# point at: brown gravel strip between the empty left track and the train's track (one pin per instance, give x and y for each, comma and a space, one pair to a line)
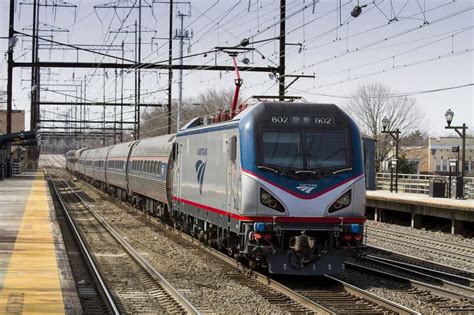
200, 278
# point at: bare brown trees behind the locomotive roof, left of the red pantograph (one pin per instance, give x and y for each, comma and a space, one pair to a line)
155, 122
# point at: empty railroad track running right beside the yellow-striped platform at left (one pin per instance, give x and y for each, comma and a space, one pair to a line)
135, 283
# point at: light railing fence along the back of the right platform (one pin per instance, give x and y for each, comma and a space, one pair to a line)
420, 184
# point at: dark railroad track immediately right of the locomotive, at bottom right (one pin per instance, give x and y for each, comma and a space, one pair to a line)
446, 298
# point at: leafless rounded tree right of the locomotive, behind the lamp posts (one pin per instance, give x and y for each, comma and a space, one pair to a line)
371, 103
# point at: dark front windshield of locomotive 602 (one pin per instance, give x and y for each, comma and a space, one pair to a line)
304, 150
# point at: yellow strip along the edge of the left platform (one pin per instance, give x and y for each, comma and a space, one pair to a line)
32, 284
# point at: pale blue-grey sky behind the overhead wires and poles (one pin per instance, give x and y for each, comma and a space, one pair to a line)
412, 46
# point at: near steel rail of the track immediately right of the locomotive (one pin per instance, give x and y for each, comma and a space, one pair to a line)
440, 291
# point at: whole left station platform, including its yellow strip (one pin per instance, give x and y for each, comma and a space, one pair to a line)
35, 276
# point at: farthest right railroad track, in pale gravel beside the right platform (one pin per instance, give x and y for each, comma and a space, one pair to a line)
455, 251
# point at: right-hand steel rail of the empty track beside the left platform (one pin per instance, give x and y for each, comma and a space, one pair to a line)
189, 308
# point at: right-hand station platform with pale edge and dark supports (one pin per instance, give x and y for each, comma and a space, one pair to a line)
458, 211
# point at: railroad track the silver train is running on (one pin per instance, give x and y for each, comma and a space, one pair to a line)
338, 297
